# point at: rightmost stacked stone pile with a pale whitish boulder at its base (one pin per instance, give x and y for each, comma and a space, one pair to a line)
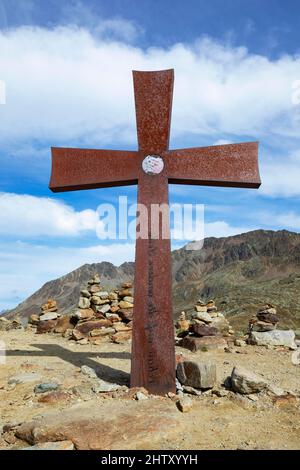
263, 329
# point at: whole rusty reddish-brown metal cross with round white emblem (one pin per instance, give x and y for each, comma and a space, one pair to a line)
153, 166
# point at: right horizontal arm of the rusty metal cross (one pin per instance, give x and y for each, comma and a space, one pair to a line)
233, 165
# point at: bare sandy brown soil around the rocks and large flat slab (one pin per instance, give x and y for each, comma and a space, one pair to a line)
230, 422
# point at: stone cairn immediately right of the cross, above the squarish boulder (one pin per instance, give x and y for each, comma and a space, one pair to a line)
206, 329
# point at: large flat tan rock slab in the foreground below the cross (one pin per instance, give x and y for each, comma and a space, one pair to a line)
113, 427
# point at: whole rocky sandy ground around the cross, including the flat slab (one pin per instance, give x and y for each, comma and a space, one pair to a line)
77, 416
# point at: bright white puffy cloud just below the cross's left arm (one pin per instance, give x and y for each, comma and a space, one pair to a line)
30, 216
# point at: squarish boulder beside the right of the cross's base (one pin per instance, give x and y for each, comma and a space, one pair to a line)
197, 374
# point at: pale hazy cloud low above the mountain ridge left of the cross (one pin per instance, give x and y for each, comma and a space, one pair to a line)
25, 267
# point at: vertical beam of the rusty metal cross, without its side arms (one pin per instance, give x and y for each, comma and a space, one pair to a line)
153, 350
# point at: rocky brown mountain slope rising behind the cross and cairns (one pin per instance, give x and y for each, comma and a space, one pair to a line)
240, 272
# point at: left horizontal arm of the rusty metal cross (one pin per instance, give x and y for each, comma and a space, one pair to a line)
74, 169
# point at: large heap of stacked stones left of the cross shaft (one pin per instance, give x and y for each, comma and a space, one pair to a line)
101, 315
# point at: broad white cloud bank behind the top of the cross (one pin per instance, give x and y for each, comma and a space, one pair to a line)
65, 84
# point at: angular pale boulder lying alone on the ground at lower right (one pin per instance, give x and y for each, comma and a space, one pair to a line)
245, 382
